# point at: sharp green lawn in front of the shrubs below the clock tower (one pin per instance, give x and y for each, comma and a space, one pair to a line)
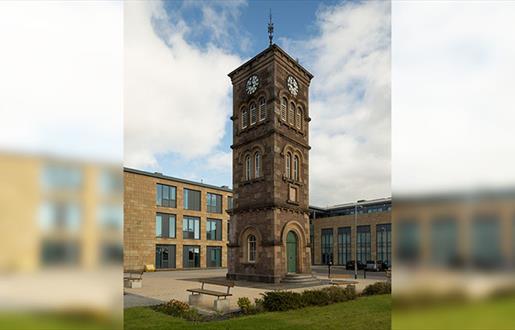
363, 313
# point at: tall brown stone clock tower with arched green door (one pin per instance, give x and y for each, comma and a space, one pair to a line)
269, 227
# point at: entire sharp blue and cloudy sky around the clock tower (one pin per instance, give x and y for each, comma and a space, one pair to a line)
177, 95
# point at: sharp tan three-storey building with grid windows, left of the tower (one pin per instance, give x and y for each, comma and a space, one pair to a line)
174, 223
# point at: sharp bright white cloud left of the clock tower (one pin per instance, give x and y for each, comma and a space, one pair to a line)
177, 96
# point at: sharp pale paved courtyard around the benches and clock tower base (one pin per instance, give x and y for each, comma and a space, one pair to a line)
162, 286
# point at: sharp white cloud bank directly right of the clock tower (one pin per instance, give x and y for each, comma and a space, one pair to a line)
350, 102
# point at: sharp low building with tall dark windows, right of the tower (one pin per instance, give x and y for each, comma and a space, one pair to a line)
336, 238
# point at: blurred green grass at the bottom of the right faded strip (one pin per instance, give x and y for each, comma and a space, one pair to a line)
490, 314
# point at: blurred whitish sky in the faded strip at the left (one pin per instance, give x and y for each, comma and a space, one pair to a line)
61, 77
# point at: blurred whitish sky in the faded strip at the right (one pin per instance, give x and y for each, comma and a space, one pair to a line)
453, 76
